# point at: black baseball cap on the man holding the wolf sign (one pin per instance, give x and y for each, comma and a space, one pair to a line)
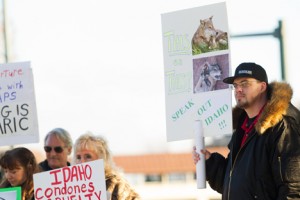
249, 69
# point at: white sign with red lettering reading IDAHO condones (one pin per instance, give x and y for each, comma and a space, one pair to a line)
82, 181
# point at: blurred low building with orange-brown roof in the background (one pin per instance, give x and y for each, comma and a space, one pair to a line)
169, 176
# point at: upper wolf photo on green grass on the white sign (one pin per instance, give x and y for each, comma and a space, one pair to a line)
207, 38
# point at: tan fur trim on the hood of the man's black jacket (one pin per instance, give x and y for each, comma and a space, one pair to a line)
280, 95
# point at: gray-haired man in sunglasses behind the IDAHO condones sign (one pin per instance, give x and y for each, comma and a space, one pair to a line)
58, 146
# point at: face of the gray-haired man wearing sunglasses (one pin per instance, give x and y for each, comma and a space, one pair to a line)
57, 159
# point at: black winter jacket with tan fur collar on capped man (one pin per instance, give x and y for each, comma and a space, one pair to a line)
268, 165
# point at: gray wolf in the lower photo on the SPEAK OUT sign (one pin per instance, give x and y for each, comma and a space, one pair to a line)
209, 75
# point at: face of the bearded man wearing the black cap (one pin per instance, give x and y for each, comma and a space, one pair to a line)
247, 91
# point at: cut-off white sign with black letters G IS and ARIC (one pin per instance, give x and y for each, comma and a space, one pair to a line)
18, 114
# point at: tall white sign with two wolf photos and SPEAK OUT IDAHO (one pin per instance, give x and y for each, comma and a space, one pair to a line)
196, 60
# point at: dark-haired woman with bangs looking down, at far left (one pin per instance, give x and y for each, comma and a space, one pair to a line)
19, 165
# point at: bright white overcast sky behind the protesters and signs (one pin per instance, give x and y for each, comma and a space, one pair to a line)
98, 65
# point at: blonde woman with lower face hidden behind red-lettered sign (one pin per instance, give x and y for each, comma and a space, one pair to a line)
88, 148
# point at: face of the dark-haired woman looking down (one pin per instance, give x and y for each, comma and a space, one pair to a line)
15, 177
